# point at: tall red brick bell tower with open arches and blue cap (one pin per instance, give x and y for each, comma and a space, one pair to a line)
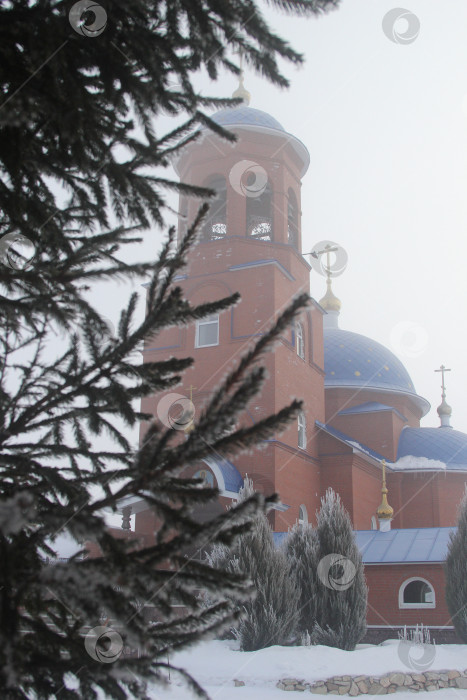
251, 243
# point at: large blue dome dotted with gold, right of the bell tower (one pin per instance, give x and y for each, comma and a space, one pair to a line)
353, 360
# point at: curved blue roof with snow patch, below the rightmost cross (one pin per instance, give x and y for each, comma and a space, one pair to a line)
443, 444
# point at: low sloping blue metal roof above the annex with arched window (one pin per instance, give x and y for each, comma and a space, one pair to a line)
425, 544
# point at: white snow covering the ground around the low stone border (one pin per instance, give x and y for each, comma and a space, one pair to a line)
216, 664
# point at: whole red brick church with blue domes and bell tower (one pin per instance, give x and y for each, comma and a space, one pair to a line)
360, 406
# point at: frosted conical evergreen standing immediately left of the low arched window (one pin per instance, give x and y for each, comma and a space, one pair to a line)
342, 593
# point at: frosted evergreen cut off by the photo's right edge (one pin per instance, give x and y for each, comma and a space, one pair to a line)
456, 573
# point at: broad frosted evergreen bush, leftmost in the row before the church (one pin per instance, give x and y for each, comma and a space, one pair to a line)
271, 616
